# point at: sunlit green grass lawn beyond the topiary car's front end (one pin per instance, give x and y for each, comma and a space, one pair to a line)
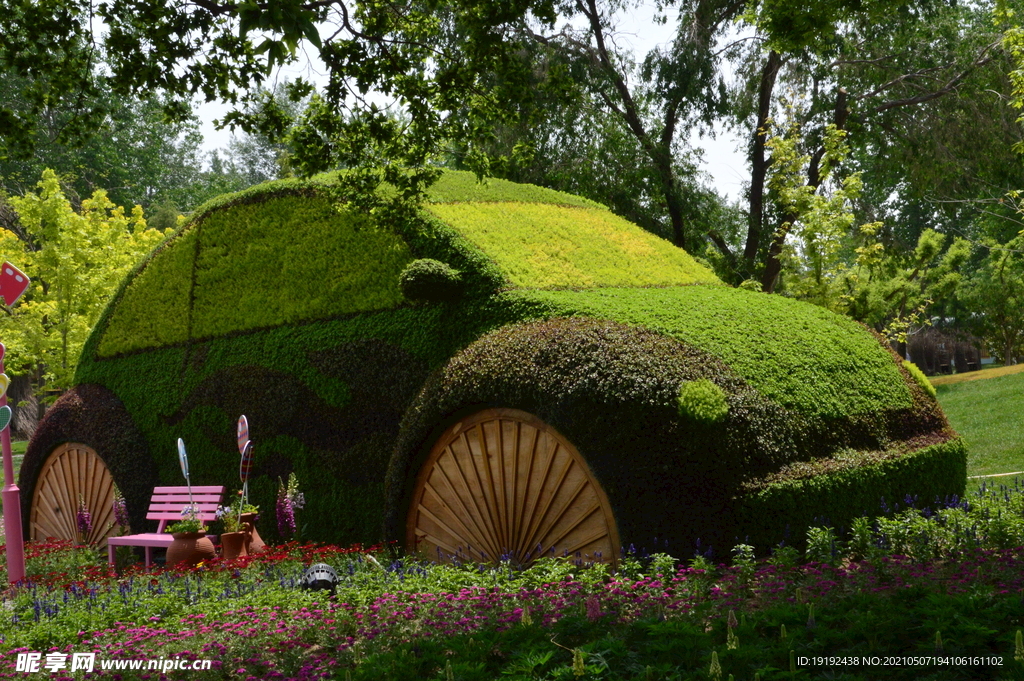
990, 415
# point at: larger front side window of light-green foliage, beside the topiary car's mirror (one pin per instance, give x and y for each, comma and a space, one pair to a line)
322, 264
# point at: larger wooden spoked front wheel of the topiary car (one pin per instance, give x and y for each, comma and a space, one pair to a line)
502, 484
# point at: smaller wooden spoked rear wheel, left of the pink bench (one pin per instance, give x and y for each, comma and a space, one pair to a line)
72, 474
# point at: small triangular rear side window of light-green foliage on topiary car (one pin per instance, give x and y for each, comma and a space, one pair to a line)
154, 310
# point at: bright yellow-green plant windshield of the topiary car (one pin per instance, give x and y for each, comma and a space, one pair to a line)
543, 246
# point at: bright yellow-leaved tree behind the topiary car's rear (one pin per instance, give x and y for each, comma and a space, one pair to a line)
76, 261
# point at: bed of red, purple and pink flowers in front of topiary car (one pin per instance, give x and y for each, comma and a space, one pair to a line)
923, 592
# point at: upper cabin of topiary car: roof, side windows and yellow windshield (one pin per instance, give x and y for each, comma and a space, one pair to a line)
285, 252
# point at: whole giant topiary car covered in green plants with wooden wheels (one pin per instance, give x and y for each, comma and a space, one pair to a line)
508, 372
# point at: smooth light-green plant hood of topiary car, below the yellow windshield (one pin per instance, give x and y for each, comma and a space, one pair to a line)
803, 357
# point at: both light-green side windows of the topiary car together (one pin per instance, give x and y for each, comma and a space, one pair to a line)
286, 260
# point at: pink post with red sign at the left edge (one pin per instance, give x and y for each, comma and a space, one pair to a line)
13, 285
